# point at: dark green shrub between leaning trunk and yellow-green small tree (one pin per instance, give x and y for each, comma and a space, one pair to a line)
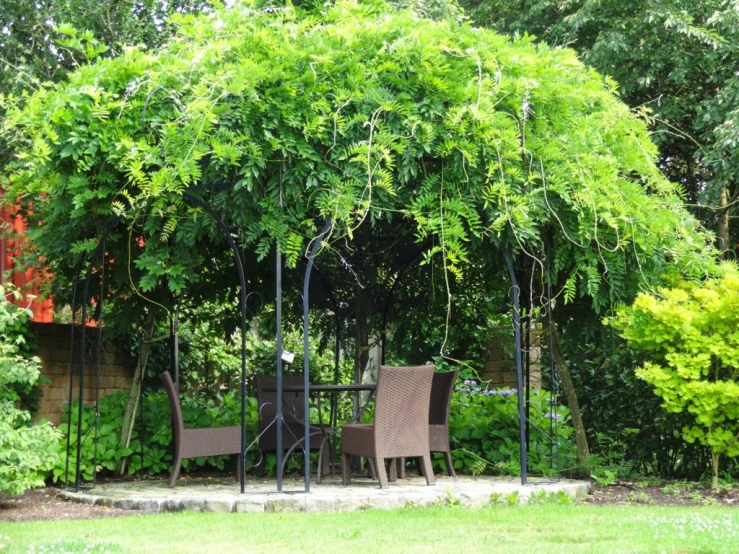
628, 431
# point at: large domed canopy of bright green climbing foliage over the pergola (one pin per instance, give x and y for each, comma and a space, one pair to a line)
364, 115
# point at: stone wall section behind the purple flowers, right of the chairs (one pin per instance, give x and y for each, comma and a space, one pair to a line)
500, 367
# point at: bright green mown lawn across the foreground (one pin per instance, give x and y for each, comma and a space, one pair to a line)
528, 529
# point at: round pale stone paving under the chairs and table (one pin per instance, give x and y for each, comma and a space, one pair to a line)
222, 494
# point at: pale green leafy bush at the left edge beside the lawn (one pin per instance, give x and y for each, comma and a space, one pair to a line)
24, 454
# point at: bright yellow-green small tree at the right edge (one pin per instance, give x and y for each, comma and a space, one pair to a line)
693, 329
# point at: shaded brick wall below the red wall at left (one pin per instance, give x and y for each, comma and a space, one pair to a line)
53, 340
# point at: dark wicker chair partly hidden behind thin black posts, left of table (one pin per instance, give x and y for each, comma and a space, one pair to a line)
293, 417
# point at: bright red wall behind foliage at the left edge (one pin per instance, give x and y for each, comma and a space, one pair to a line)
12, 231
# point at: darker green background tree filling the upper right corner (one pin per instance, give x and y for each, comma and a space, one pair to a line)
674, 58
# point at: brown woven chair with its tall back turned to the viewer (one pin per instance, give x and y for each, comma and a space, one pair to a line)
400, 428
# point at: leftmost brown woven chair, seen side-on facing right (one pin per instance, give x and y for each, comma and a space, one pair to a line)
194, 443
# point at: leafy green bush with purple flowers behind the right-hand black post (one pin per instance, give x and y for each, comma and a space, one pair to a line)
483, 431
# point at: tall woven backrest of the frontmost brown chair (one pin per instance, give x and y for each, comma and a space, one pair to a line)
402, 410
